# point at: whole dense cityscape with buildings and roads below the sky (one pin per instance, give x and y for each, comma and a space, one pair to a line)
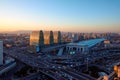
71, 56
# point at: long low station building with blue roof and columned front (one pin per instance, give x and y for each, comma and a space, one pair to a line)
83, 46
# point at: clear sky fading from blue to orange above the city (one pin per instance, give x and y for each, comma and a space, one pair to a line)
64, 15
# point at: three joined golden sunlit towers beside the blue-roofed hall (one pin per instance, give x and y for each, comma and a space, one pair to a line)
39, 39
